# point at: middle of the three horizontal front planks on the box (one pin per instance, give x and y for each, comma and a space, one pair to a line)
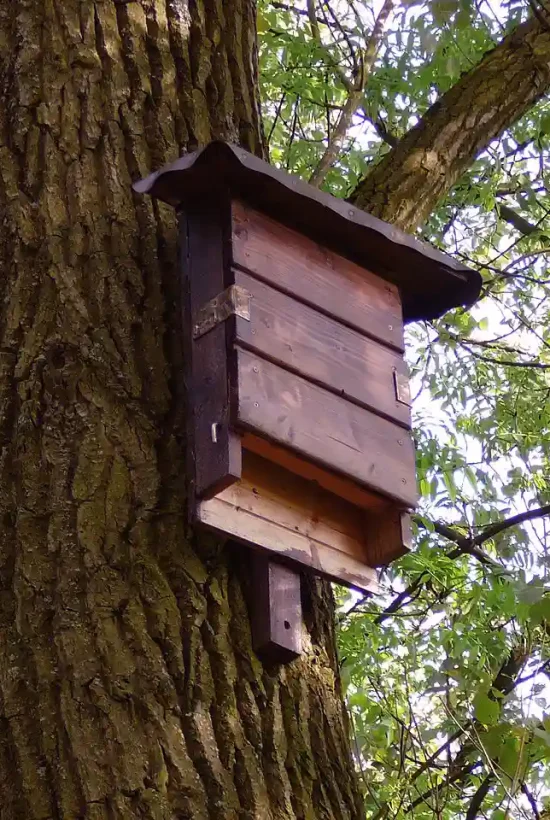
319, 348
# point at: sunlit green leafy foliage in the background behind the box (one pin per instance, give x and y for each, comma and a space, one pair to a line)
447, 674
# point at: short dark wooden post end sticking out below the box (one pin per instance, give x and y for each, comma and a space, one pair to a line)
276, 616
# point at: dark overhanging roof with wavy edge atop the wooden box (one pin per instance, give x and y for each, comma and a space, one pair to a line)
431, 282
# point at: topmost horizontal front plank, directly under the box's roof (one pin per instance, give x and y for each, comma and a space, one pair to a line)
295, 264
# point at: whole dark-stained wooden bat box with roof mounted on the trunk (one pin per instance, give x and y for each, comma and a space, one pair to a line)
299, 405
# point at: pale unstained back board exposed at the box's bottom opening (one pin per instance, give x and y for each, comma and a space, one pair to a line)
274, 510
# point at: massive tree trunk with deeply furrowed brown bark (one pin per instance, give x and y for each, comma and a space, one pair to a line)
128, 687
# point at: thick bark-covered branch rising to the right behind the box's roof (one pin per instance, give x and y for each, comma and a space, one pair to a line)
408, 182
